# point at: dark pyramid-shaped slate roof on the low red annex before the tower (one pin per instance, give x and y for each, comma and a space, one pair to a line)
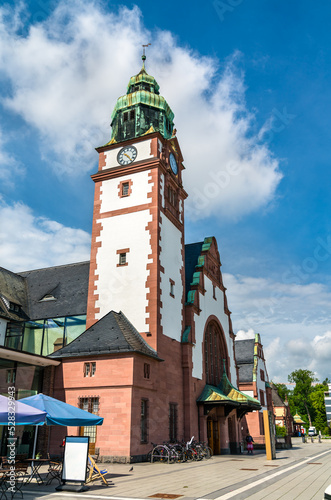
112, 334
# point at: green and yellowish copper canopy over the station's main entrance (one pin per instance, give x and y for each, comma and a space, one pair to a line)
226, 395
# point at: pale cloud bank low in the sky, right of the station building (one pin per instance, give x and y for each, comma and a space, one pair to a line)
291, 319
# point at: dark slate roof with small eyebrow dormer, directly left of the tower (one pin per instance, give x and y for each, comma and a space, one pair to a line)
67, 284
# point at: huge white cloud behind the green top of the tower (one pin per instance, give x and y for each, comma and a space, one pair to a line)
68, 70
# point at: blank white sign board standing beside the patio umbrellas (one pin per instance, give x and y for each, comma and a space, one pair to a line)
75, 458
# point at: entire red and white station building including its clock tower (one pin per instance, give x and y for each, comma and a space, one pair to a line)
141, 334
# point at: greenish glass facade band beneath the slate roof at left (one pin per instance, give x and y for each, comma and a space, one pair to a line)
46, 335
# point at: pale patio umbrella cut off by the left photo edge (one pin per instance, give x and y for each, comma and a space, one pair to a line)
23, 413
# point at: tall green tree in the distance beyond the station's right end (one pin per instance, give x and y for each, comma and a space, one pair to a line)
303, 380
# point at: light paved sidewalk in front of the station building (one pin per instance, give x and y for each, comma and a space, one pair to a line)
302, 473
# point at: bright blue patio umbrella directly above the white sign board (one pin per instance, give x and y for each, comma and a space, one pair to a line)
60, 413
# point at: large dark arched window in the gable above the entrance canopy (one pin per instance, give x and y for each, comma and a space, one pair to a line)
215, 352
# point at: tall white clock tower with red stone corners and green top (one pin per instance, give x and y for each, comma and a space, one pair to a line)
137, 252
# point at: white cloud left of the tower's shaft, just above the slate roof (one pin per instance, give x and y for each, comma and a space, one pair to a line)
30, 242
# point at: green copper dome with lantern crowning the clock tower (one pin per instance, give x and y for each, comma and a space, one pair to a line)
141, 110
